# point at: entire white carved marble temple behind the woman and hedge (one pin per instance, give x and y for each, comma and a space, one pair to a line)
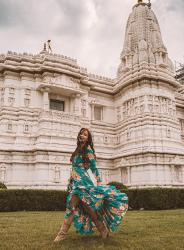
137, 118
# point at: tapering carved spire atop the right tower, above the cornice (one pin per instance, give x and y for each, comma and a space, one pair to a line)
143, 40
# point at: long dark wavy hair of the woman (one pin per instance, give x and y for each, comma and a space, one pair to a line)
82, 150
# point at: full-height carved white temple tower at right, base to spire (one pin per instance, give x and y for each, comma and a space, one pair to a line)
152, 144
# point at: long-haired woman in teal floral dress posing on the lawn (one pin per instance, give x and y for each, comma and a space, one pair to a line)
89, 204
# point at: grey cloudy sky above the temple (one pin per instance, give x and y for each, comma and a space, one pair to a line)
91, 31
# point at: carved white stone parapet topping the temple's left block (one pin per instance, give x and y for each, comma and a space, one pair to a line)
41, 63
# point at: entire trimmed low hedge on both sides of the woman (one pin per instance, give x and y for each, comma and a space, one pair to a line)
55, 200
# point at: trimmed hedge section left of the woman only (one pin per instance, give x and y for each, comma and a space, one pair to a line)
32, 200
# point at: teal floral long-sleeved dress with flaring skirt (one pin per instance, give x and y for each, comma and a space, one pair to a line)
108, 202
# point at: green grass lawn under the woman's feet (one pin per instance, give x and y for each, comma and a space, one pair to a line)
146, 230
